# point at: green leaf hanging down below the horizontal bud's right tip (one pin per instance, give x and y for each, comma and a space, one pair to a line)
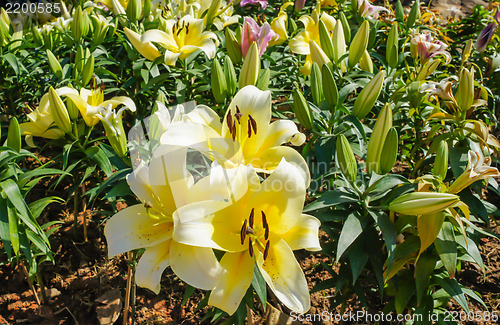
446, 247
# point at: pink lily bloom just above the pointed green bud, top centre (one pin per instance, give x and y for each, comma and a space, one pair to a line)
252, 32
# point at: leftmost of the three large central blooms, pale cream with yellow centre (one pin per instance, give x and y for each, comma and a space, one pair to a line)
163, 186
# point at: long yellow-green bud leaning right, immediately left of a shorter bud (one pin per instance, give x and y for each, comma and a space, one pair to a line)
377, 139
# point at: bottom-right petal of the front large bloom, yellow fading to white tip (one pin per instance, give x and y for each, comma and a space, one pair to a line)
285, 278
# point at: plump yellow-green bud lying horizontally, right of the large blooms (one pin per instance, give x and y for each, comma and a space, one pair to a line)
419, 203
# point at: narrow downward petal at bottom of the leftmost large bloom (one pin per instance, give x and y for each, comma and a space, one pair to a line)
151, 266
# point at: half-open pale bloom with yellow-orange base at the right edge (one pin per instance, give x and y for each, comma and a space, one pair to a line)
478, 168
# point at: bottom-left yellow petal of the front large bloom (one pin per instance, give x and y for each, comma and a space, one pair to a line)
233, 282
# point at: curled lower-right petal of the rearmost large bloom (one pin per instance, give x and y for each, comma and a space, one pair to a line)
269, 159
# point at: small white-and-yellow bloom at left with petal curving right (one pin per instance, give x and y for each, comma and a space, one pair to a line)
89, 103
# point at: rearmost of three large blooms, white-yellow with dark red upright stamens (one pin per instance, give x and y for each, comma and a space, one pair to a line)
246, 135
